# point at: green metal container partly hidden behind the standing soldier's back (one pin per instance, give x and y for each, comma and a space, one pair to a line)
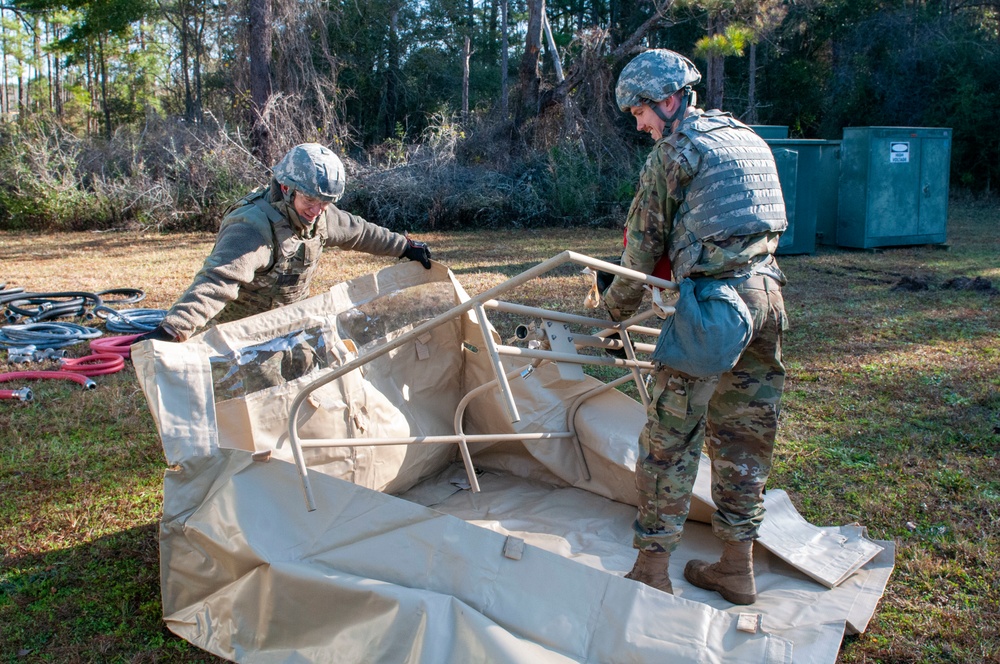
809, 170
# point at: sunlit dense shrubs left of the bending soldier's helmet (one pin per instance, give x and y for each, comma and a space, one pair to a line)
168, 175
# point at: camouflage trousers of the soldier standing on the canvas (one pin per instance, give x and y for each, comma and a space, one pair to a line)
734, 416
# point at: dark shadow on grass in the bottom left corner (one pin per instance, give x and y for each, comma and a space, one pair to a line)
96, 602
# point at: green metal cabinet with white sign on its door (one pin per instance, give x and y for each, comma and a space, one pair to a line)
893, 186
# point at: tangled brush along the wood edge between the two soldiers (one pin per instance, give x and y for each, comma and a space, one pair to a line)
431, 189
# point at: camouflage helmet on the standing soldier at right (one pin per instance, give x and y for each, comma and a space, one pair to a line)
653, 76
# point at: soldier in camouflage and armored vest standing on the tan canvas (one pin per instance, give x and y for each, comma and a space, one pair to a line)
709, 201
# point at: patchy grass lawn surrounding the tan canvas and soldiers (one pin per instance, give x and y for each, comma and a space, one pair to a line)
891, 418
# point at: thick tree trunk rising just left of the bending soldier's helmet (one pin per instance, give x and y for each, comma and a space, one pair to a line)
262, 137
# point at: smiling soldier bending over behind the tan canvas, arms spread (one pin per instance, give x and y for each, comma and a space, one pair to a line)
270, 242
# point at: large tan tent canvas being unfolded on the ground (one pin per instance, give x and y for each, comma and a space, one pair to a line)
400, 560
